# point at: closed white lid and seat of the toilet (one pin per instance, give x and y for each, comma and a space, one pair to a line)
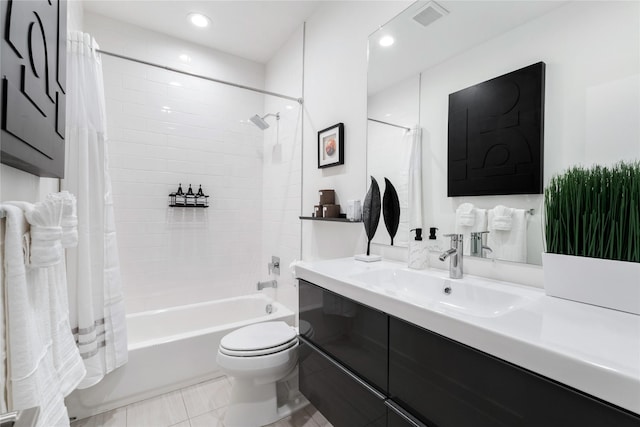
259, 336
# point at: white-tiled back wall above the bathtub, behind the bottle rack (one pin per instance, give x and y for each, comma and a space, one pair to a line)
164, 129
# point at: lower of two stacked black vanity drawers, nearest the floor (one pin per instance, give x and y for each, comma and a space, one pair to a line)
341, 397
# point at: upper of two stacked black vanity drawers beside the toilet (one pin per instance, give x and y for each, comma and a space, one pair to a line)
352, 333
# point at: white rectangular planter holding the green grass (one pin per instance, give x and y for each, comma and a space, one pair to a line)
602, 282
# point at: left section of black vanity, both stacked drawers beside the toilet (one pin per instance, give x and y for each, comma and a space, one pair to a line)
344, 360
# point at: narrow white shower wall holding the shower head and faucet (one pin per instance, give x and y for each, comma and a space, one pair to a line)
282, 171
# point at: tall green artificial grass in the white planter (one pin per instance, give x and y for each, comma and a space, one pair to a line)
595, 212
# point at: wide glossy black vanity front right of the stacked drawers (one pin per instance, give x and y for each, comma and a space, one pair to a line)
448, 384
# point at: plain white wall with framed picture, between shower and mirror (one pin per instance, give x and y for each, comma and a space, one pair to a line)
335, 91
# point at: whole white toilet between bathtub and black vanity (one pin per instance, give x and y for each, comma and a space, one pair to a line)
261, 361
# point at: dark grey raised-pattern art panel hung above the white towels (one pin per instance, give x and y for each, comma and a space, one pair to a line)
33, 86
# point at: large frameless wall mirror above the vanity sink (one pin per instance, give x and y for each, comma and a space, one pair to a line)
592, 93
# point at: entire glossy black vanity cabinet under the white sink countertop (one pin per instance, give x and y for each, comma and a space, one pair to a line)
362, 367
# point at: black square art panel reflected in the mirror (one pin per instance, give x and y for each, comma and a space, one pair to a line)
496, 135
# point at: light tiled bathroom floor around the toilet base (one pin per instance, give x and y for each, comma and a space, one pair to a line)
201, 405
